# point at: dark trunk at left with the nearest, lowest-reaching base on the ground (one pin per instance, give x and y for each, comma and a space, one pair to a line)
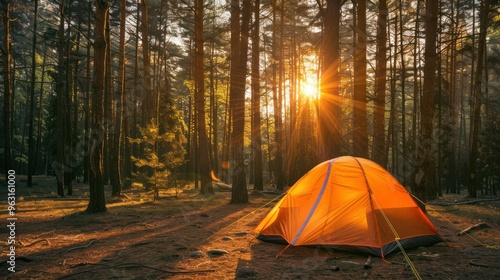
97, 201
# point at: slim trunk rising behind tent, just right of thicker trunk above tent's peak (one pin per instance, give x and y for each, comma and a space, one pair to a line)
378, 150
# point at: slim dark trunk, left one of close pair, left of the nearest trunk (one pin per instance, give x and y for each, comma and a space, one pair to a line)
58, 166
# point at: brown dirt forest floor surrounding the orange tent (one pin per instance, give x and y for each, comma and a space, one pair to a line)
171, 238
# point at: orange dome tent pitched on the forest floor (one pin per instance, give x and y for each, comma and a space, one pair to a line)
348, 203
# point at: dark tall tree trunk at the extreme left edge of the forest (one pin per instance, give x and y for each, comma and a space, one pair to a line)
8, 99
